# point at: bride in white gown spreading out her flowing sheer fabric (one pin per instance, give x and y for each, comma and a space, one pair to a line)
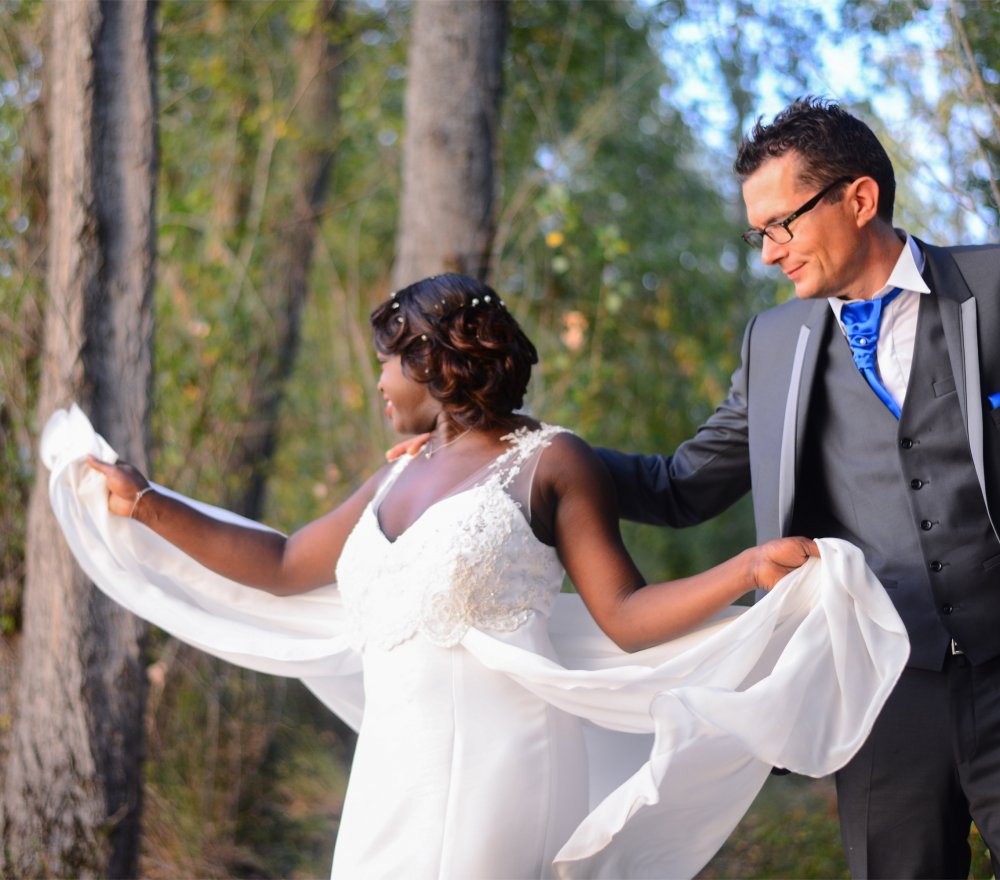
502, 734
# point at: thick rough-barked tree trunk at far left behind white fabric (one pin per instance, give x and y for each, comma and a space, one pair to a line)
72, 787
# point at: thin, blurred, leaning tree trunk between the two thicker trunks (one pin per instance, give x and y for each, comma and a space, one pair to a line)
287, 275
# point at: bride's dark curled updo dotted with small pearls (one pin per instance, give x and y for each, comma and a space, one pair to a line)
455, 335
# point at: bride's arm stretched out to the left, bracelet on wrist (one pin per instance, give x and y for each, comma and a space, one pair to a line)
259, 558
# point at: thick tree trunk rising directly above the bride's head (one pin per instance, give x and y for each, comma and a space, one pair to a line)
452, 116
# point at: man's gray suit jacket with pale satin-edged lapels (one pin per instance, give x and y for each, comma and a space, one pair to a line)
754, 438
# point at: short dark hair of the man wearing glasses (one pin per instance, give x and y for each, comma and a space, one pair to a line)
831, 142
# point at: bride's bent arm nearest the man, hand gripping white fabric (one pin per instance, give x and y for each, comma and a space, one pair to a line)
633, 614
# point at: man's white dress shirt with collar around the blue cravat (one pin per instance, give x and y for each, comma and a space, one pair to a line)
898, 330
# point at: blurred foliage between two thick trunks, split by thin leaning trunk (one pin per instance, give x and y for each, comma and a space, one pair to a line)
224, 202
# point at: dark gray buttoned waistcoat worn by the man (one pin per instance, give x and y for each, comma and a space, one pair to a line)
906, 493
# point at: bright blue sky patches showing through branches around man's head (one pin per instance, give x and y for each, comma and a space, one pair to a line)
852, 69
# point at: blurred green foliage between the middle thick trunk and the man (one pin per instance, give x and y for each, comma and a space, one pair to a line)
620, 254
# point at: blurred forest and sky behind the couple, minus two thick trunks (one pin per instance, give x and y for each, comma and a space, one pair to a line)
614, 237
